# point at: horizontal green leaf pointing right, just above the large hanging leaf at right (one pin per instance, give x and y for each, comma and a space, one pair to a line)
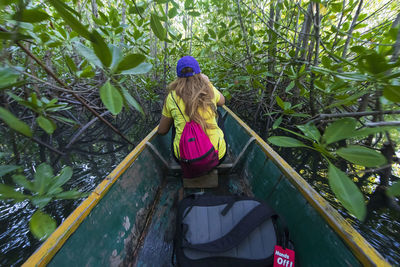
362, 156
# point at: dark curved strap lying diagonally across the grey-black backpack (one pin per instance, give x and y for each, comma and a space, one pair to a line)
246, 225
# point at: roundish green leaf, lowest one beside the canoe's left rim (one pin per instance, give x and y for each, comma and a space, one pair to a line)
42, 225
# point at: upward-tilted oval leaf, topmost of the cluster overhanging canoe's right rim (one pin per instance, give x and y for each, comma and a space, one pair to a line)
339, 130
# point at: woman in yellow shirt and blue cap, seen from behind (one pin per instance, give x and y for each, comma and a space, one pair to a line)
192, 97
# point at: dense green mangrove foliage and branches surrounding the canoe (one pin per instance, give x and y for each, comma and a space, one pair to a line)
317, 75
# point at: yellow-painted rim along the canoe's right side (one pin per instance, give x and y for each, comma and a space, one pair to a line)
364, 252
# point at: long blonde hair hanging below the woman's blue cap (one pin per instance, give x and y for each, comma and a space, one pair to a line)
197, 94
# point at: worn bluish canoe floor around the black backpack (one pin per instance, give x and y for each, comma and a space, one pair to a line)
155, 246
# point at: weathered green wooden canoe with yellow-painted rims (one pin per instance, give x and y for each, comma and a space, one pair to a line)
129, 219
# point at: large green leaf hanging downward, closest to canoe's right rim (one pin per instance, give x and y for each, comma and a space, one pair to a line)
347, 192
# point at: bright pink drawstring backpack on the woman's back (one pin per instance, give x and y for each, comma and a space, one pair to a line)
197, 155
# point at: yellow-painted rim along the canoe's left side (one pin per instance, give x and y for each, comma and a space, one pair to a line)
49, 248
